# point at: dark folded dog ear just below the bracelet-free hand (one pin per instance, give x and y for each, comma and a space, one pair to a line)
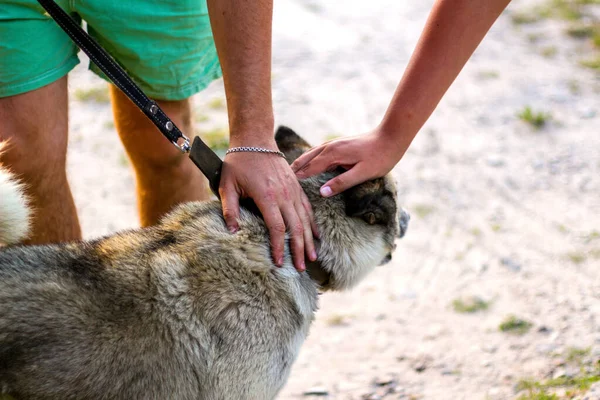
371, 201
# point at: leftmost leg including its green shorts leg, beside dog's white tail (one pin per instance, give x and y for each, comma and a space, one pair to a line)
35, 57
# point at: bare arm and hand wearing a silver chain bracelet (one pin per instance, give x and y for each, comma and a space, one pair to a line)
242, 33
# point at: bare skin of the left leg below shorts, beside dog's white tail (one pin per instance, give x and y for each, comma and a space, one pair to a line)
35, 126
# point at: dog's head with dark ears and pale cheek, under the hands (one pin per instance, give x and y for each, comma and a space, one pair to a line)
357, 228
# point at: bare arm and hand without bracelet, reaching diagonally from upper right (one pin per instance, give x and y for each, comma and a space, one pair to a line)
453, 31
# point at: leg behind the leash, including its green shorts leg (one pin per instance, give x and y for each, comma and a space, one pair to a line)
167, 48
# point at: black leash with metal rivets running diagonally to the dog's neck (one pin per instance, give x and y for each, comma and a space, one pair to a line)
205, 159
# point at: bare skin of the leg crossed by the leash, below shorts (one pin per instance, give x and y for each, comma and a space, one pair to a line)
165, 177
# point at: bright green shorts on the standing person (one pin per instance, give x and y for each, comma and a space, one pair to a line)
166, 46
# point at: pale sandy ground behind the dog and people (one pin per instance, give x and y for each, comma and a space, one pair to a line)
500, 210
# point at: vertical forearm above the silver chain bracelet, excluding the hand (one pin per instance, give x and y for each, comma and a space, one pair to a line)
242, 33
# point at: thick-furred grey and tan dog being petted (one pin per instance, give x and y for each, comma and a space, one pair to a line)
181, 310
